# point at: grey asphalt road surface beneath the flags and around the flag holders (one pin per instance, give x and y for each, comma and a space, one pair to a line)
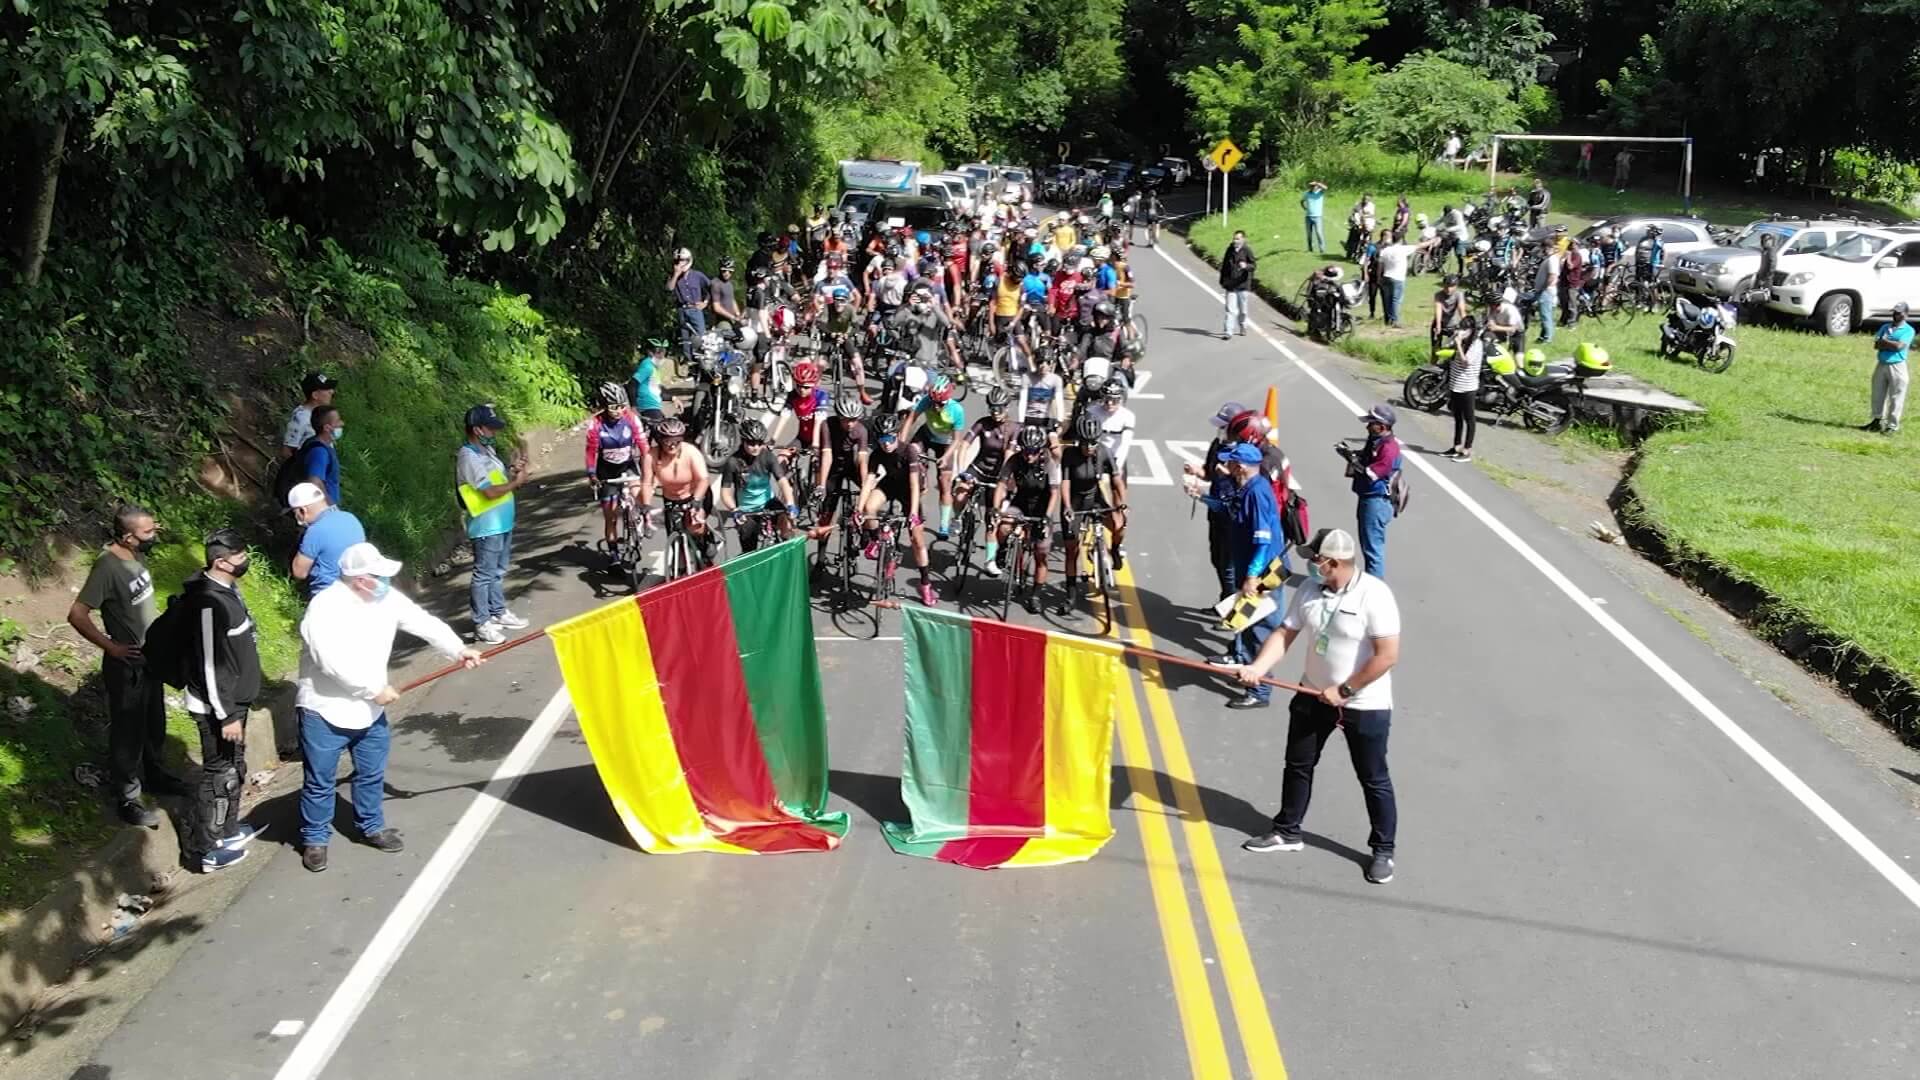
1595, 879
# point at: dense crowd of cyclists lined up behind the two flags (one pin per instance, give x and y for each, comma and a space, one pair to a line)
830, 403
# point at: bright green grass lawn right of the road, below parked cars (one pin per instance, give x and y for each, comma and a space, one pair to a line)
1773, 485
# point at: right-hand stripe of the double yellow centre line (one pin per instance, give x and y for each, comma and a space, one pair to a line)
1236, 960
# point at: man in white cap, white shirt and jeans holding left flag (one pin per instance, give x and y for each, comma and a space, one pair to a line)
348, 639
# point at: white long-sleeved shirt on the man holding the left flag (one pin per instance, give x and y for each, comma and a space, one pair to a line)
348, 643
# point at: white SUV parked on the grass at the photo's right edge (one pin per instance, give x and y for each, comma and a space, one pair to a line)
1861, 278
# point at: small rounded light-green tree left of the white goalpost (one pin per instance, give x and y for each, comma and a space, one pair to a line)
1428, 99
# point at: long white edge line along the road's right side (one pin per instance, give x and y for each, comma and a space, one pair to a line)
1831, 818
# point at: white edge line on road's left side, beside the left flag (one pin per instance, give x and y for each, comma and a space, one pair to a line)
364, 981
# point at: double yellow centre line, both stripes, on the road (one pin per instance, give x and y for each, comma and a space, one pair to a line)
1193, 989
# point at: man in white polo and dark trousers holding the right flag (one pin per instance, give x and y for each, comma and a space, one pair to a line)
1353, 629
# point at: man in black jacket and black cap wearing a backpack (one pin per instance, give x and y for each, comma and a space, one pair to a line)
220, 668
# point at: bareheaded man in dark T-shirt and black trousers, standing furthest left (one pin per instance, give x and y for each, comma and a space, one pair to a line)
122, 591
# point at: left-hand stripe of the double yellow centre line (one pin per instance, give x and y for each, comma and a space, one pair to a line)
1193, 991
